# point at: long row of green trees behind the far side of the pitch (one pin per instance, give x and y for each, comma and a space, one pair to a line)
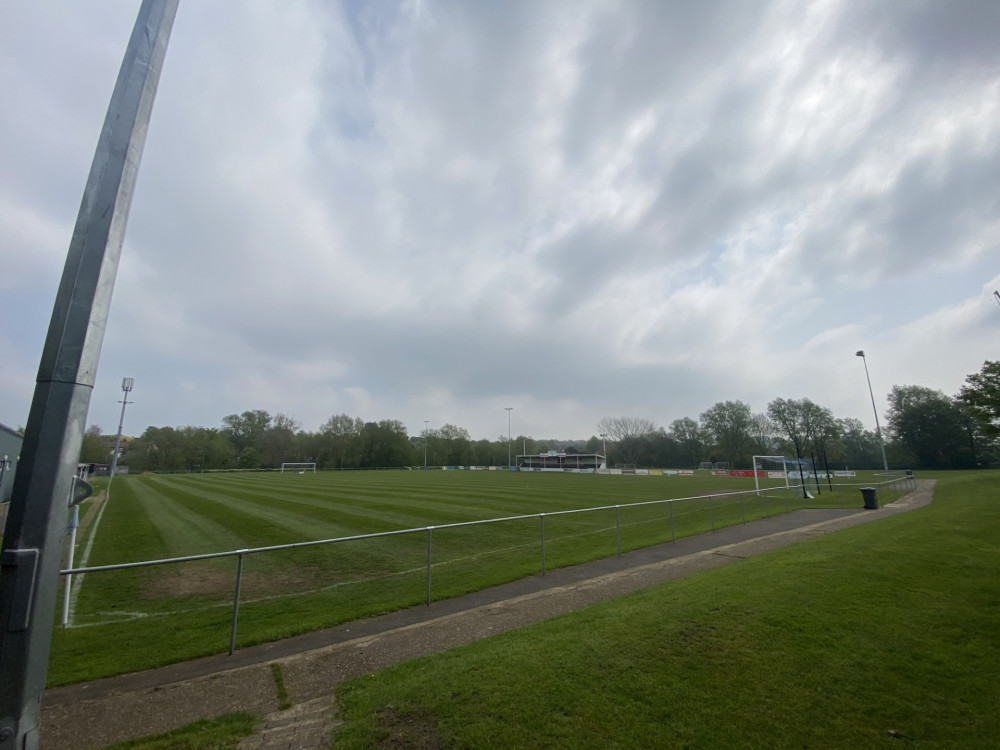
924, 429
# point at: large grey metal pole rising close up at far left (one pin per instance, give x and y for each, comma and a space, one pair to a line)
32, 546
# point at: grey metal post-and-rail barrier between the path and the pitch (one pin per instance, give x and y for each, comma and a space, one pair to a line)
722, 509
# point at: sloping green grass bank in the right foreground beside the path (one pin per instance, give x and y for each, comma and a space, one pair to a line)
879, 636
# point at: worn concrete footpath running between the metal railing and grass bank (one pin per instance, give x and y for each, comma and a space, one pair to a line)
95, 714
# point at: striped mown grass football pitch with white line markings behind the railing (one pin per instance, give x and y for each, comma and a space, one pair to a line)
143, 617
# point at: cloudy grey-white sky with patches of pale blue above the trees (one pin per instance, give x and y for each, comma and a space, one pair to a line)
582, 209
